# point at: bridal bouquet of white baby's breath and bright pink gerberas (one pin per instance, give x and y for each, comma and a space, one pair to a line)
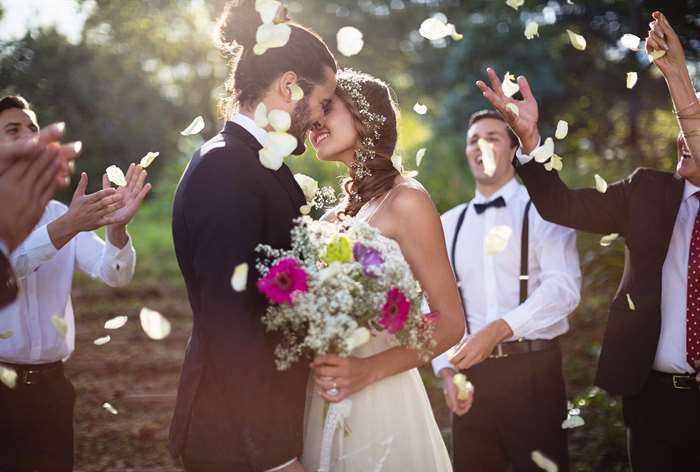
336, 286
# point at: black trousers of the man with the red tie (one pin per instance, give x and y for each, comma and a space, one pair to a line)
663, 428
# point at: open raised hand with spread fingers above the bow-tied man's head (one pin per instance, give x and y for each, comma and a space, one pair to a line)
524, 122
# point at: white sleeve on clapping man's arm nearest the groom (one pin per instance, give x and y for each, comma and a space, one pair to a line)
101, 259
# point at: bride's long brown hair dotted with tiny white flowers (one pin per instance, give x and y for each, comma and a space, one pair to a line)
375, 112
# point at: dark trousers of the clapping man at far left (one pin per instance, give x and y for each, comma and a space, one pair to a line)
36, 427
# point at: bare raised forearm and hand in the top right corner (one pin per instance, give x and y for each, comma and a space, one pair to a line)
662, 37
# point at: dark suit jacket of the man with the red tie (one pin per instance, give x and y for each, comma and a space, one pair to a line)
642, 209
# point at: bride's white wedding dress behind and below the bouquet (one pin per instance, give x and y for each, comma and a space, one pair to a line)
391, 427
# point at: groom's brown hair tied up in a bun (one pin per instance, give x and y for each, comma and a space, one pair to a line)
251, 74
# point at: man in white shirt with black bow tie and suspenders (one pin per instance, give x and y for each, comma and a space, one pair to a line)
514, 312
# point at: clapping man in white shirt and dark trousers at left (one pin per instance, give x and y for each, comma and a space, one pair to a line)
38, 329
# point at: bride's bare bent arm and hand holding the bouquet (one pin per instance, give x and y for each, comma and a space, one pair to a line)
410, 218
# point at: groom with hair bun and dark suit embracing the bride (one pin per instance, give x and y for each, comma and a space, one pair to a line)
235, 411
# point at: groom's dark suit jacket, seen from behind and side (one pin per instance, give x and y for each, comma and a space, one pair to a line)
234, 409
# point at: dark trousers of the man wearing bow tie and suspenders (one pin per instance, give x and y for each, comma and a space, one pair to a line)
519, 405
